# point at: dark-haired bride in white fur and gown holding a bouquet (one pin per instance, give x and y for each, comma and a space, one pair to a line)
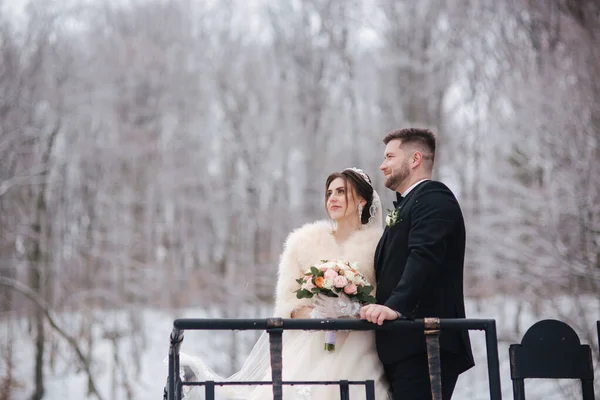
351, 234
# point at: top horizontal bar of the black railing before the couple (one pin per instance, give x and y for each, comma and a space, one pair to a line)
323, 324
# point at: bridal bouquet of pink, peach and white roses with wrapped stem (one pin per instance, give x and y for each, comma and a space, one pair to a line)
335, 279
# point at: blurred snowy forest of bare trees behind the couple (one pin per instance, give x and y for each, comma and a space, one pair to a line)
155, 154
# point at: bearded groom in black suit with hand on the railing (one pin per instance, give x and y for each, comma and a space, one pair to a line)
419, 268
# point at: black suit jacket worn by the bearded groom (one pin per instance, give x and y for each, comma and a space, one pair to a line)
419, 269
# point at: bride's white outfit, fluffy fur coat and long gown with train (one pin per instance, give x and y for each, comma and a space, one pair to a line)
304, 358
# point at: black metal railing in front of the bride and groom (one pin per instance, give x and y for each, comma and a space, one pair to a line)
275, 328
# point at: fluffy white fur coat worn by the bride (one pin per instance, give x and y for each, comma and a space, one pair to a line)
314, 242
